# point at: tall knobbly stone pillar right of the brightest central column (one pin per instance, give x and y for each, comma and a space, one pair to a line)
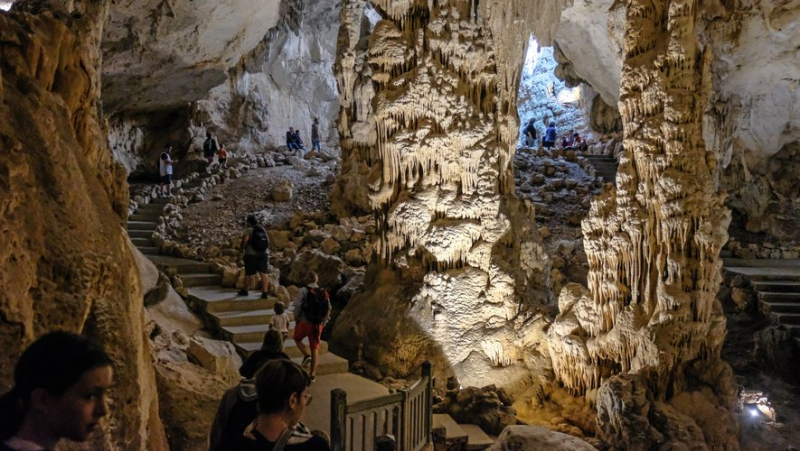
649, 329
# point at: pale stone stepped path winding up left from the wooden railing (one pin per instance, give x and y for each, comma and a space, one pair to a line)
243, 320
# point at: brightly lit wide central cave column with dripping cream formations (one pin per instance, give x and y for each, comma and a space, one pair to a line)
428, 125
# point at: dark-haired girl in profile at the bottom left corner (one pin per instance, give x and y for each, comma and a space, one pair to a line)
60, 385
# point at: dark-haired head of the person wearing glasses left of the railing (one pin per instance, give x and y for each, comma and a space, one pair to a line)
282, 387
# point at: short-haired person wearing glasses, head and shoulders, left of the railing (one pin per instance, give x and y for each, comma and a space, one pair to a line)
282, 392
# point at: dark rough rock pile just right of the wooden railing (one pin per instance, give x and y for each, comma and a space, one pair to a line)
488, 407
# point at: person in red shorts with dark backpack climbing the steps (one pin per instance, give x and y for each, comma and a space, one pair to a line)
312, 308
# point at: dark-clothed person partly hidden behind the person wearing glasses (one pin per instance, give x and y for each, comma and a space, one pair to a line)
237, 409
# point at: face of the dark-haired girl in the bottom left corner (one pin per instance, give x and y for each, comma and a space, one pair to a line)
77, 412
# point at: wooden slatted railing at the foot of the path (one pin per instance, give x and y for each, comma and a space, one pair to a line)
406, 415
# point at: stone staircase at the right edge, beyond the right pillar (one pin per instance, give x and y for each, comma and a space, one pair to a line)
776, 284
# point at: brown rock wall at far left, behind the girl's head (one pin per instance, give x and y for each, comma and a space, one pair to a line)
66, 261
